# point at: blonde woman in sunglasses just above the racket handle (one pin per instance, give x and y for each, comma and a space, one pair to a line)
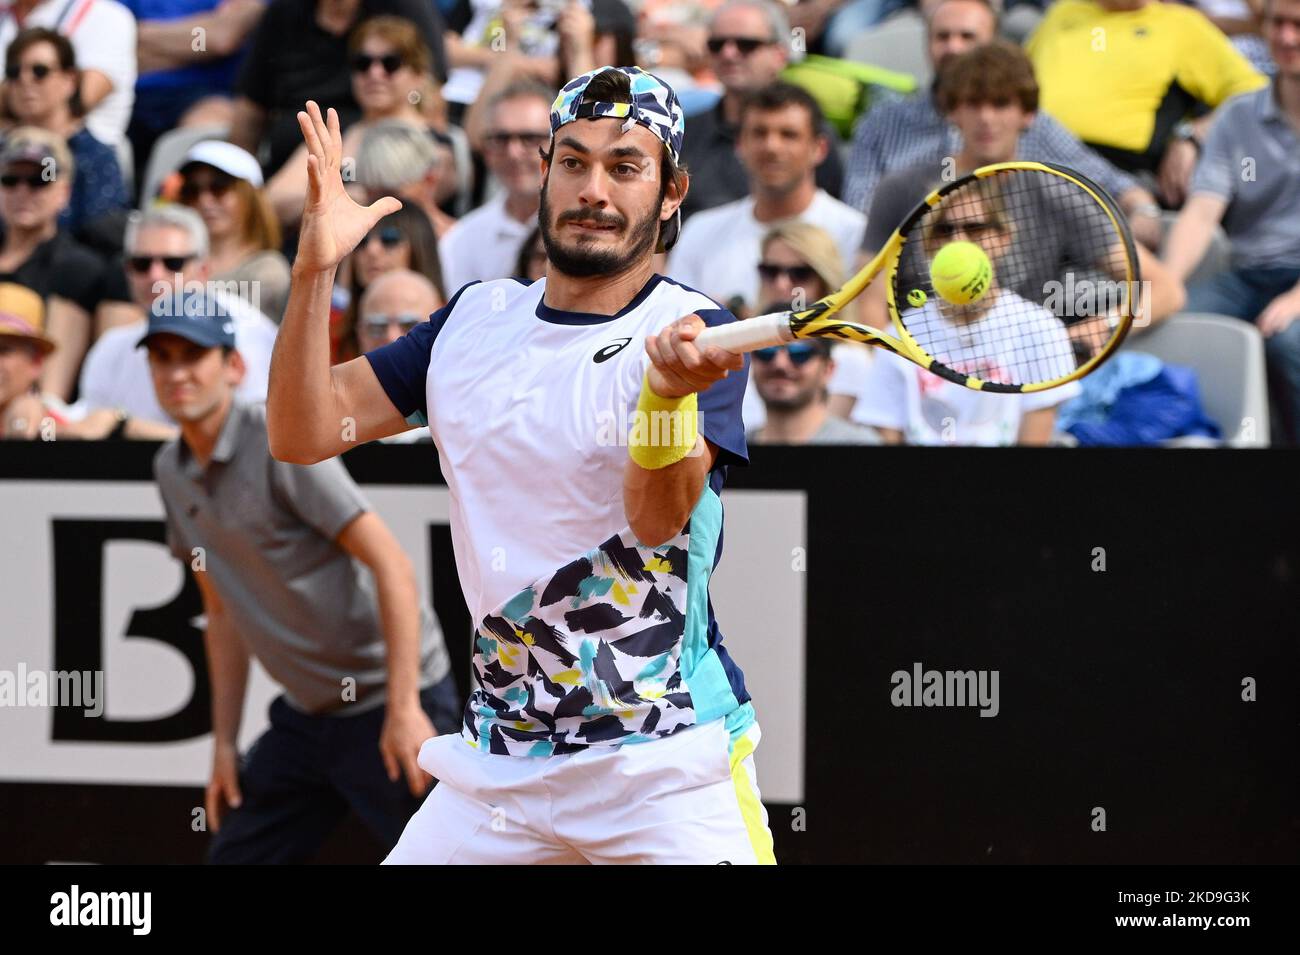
800, 263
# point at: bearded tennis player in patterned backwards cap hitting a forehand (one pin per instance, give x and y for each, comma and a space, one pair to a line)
584, 441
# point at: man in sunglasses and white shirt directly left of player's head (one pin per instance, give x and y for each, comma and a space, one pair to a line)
486, 244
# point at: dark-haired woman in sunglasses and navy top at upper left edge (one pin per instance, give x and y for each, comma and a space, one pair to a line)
41, 86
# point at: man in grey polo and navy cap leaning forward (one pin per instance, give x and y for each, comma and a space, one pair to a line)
297, 571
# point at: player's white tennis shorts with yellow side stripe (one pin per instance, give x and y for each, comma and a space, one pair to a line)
690, 798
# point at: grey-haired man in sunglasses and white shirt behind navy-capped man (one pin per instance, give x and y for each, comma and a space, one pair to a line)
167, 249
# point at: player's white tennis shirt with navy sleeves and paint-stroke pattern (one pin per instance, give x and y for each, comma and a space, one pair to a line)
584, 636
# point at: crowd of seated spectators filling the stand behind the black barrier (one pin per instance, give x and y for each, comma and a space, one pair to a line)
150, 147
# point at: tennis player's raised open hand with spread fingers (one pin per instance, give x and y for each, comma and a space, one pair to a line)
332, 222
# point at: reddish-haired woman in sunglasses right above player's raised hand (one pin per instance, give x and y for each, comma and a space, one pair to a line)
391, 68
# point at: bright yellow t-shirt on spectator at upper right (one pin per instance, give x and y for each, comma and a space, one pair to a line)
1119, 79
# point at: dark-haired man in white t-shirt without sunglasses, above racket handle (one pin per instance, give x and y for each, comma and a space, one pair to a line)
781, 146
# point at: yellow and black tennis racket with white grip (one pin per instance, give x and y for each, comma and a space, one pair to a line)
1059, 298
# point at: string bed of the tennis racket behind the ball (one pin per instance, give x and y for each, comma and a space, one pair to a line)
1060, 280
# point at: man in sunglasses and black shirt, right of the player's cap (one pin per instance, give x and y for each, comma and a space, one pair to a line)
748, 47
